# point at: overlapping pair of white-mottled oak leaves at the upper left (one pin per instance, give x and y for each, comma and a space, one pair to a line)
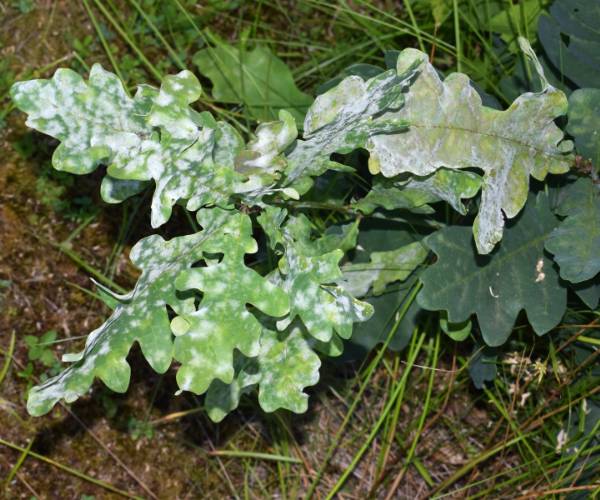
97, 122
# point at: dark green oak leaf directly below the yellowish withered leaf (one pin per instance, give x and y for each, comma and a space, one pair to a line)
517, 276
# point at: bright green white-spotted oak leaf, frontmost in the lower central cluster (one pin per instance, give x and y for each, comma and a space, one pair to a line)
206, 338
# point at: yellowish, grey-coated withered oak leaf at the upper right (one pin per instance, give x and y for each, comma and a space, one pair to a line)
449, 127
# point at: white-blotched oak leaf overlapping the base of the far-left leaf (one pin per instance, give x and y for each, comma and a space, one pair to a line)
192, 159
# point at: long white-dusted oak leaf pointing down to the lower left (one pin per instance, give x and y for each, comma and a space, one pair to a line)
140, 316
